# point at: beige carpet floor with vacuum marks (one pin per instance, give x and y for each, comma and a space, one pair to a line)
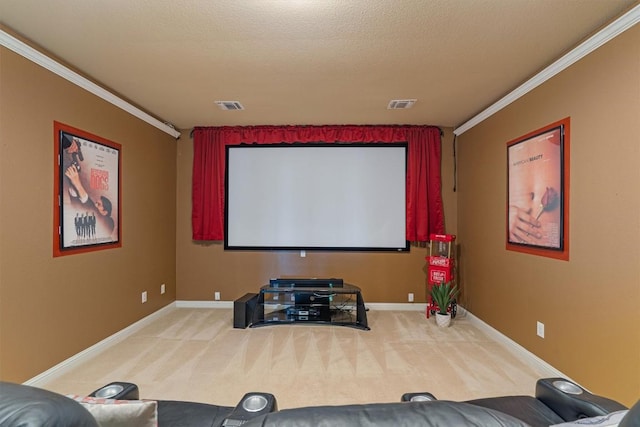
197, 355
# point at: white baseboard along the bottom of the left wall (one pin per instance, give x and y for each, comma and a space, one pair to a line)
95, 349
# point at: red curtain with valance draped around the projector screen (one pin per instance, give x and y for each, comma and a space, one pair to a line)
425, 213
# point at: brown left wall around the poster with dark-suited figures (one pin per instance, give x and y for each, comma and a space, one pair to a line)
52, 308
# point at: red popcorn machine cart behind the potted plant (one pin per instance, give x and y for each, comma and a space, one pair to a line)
441, 264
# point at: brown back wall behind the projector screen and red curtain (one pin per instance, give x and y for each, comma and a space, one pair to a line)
203, 269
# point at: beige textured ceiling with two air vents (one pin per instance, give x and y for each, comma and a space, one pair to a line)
309, 61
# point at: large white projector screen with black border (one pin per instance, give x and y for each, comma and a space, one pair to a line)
316, 197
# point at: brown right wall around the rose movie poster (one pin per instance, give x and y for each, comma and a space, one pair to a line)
590, 304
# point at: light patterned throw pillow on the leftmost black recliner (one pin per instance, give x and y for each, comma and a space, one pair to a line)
121, 413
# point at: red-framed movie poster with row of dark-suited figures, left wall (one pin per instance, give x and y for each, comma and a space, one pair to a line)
87, 199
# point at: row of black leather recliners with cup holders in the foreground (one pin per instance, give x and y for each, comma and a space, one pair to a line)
27, 406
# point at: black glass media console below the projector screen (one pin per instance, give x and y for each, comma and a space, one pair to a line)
307, 301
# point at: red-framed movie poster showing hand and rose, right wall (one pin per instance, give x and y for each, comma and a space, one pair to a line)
538, 192
